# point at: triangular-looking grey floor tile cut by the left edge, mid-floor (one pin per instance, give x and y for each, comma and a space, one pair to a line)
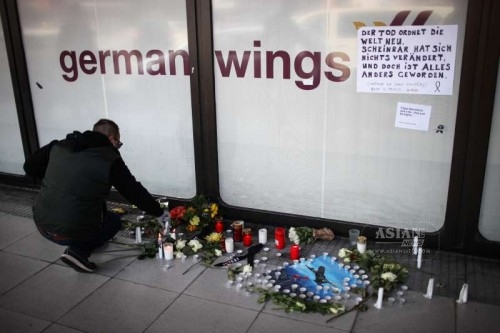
16, 269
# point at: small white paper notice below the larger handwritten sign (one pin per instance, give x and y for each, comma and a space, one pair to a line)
413, 116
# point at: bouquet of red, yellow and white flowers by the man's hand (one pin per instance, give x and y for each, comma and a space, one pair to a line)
195, 216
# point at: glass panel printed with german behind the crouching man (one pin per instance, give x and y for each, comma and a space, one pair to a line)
122, 60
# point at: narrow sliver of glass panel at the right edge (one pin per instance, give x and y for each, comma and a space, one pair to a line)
489, 217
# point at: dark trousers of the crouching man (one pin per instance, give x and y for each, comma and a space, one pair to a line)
110, 226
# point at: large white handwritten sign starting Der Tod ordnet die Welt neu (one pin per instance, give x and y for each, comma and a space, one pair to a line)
407, 59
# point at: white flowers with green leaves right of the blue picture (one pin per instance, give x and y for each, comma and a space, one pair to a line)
385, 273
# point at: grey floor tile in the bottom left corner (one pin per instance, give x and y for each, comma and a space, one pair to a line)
15, 322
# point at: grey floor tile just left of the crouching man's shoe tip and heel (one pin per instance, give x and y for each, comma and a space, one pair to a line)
35, 246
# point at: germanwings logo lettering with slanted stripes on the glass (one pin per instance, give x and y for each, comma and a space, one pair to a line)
304, 67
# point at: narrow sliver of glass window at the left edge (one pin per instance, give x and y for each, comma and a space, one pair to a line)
12, 157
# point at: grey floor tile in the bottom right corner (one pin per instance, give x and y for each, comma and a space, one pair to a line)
477, 317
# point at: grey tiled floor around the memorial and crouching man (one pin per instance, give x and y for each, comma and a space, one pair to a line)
38, 293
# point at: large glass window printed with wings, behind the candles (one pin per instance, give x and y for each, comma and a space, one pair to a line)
295, 135
